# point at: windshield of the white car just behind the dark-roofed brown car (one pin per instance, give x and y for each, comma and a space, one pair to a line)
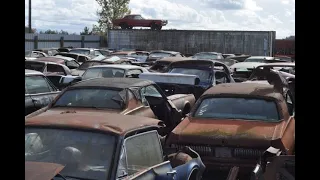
103, 72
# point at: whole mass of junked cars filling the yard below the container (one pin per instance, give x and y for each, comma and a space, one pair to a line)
116, 117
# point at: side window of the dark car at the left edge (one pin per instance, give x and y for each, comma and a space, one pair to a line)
37, 84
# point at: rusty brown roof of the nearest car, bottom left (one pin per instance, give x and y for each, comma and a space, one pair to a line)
107, 122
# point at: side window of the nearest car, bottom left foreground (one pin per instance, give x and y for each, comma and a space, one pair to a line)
141, 151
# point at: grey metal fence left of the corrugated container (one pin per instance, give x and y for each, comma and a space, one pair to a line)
36, 41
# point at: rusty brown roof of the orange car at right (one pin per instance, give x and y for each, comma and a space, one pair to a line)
245, 89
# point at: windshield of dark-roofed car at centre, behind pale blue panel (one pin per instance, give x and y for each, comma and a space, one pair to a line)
203, 75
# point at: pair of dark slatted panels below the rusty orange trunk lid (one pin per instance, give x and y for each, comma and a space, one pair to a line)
242, 153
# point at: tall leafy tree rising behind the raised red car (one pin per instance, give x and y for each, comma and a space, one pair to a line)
111, 10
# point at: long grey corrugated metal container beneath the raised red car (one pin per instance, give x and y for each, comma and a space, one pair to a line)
190, 42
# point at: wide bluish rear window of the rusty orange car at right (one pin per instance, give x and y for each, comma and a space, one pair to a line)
238, 108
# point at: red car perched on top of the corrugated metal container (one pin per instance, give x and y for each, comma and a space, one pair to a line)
136, 20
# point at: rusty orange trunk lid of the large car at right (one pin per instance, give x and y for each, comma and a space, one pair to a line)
237, 132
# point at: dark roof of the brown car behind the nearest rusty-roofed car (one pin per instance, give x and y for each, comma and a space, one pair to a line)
119, 83
